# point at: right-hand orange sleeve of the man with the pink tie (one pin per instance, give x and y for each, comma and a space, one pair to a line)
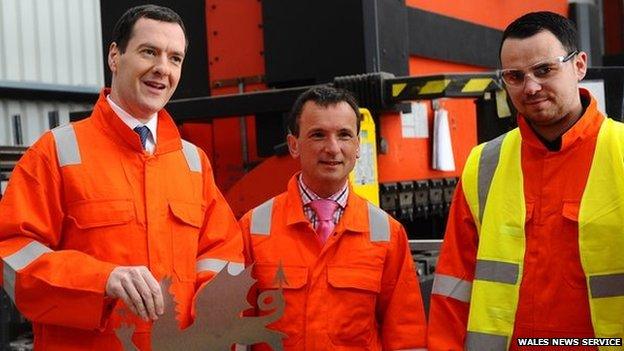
400, 307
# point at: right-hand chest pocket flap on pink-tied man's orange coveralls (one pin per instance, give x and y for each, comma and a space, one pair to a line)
355, 277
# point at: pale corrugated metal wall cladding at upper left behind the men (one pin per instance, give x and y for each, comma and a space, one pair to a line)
51, 42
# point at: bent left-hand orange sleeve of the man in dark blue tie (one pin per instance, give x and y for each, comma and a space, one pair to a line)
59, 287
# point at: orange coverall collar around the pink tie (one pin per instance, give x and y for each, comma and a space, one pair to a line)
353, 219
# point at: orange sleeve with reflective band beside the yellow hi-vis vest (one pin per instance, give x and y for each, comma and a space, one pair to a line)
448, 314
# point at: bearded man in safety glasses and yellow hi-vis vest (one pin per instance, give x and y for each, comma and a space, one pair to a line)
533, 247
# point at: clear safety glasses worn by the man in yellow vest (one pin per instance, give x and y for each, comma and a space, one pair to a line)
539, 72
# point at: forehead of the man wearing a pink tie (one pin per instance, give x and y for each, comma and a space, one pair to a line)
333, 116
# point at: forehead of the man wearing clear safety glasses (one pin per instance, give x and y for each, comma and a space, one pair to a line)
518, 53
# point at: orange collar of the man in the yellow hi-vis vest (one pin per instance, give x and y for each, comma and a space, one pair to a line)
587, 126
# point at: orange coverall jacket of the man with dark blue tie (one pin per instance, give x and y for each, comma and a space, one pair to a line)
113, 204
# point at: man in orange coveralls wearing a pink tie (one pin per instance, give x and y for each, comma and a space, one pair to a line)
349, 277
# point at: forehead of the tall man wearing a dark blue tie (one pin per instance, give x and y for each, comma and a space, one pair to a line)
153, 32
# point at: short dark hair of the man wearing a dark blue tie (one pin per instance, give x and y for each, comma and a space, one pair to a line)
125, 25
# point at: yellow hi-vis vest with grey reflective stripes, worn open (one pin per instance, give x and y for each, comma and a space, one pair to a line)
493, 185
